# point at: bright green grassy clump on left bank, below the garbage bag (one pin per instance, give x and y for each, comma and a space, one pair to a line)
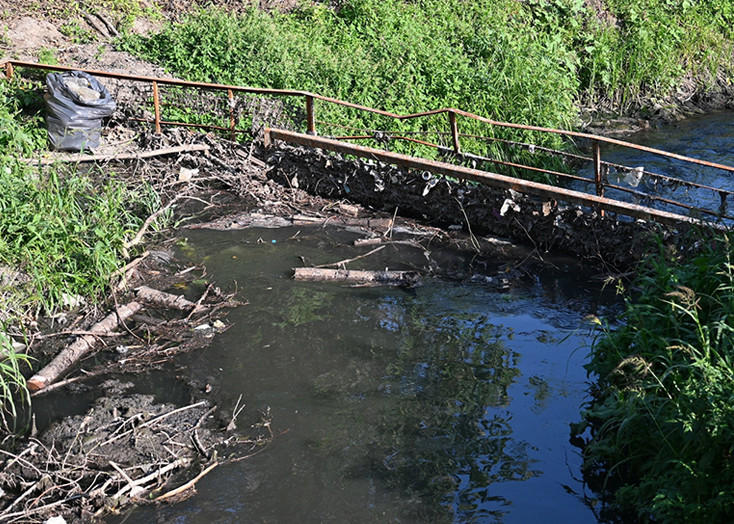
67, 235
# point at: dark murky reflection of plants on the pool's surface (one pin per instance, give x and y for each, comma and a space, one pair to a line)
439, 433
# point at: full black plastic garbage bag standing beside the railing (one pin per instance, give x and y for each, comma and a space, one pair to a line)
76, 103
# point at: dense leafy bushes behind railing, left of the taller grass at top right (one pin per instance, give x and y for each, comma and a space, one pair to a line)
398, 56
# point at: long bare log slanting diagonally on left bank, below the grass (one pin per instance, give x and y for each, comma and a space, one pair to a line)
74, 352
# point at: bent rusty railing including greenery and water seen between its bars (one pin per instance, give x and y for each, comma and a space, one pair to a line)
237, 110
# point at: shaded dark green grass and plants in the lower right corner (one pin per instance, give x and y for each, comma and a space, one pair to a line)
662, 416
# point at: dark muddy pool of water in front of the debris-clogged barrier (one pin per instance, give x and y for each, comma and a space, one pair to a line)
449, 402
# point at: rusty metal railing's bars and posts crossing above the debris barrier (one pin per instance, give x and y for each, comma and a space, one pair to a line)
600, 169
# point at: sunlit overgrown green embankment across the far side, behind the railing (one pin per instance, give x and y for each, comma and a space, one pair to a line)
537, 62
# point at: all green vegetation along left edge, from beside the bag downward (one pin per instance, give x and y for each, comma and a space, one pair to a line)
61, 236
